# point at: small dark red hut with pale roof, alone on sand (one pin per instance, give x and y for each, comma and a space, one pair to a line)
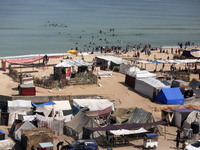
27, 90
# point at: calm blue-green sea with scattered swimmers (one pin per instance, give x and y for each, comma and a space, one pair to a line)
56, 26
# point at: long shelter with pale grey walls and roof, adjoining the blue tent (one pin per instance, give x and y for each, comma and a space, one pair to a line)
149, 87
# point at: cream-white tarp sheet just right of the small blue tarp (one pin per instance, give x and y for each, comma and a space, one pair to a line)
59, 106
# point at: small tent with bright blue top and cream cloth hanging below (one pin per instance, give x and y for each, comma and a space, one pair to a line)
46, 108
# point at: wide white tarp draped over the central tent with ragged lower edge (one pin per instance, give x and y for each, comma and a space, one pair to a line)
93, 104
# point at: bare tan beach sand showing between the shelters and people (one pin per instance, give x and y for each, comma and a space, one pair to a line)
113, 88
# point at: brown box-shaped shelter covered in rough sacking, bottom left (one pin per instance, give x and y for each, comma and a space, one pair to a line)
35, 136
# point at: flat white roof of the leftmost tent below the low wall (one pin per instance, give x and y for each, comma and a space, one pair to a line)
20, 103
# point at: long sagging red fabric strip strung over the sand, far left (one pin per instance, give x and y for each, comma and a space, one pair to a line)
24, 61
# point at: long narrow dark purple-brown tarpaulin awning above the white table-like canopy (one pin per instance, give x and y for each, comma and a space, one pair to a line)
125, 126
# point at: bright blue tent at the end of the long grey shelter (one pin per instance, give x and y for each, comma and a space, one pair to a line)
171, 96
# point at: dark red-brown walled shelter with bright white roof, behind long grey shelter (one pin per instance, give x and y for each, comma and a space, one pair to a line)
131, 76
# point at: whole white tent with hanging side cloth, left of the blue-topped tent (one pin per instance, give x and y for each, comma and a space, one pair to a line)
17, 107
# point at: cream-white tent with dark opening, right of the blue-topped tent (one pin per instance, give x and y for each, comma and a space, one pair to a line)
61, 108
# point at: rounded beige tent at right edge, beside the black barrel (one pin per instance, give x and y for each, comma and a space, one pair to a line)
193, 116
